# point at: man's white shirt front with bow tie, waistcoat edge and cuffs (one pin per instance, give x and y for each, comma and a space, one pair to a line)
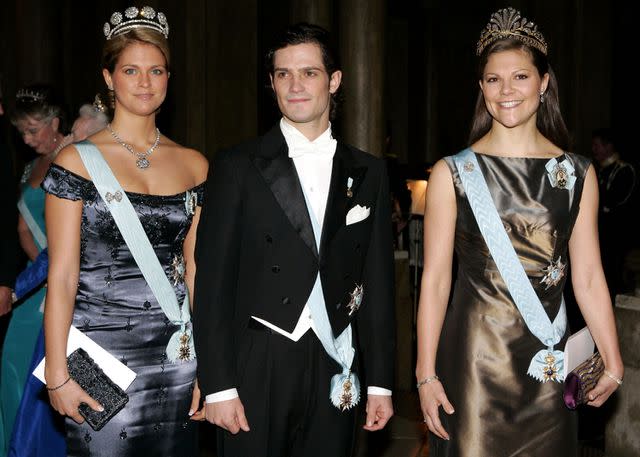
313, 161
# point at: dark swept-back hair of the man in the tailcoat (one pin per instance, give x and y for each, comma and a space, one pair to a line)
302, 33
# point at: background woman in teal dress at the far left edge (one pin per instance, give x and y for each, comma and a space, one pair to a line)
39, 118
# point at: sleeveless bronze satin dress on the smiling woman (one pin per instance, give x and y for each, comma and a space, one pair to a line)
485, 347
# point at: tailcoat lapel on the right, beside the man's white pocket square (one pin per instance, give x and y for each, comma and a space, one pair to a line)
338, 202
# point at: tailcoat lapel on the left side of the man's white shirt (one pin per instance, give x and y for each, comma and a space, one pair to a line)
277, 169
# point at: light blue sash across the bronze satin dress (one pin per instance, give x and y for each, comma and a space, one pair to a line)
546, 364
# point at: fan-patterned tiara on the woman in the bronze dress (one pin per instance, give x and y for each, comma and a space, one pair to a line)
508, 23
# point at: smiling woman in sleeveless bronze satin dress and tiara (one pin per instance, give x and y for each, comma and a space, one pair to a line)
476, 393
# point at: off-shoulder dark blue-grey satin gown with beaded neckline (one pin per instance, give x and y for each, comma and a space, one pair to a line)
116, 308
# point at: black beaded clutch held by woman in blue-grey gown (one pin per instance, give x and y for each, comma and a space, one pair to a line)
99, 386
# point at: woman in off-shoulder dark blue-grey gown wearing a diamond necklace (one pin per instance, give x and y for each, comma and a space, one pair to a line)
96, 284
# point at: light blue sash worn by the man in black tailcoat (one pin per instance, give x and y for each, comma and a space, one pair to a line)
345, 387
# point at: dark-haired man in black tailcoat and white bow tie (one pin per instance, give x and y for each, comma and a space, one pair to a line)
295, 244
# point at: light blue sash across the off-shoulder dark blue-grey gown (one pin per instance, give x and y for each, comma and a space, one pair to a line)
180, 345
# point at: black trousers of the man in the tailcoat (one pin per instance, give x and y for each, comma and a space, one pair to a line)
284, 387
